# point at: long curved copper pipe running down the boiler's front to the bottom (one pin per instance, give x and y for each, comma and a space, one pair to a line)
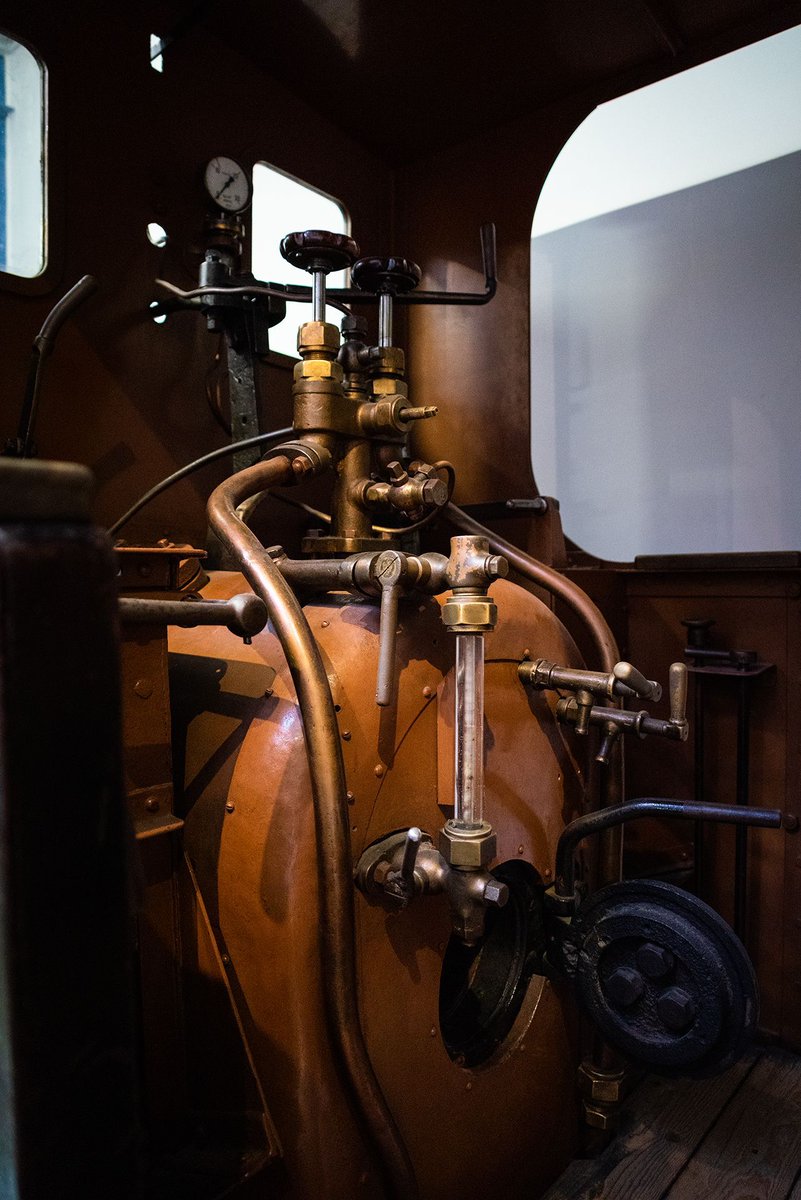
329, 794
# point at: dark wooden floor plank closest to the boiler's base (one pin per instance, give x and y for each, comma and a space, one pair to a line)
663, 1124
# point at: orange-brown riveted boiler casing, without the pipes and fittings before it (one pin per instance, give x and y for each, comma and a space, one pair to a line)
508, 1125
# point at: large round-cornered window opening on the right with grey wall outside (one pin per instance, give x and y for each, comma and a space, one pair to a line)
666, 349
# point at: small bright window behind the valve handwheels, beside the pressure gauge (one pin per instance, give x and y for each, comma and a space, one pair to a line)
282, 206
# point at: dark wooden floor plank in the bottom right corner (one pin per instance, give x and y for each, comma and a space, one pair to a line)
755, 1150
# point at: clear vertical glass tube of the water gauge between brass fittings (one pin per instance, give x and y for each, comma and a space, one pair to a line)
469, 764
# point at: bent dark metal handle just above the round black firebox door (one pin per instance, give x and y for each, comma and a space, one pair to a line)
605, 819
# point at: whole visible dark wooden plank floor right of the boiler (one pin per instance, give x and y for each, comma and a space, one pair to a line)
733, 1138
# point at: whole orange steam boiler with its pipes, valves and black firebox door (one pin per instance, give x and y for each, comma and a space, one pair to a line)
384, 783
